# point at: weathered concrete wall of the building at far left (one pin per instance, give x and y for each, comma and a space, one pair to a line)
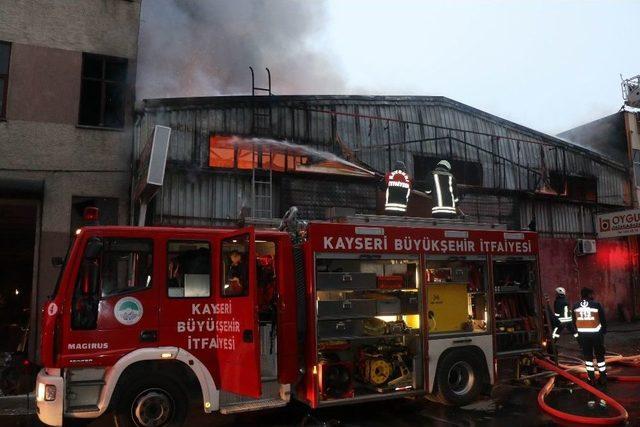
40, 142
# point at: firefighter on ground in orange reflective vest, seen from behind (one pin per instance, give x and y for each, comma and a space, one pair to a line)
591, 324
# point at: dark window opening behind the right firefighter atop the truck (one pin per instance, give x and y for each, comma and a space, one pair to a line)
465, 172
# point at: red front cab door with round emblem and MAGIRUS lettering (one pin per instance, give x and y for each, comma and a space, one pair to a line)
112, 301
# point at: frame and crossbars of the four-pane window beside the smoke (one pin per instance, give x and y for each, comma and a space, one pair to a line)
103, 81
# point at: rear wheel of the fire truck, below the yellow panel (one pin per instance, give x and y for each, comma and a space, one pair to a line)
459, 380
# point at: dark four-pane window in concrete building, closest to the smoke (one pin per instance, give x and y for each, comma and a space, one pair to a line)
102, 94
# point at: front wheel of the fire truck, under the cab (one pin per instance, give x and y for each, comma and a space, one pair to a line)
152, 402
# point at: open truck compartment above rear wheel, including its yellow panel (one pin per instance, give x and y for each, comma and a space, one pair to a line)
456, 296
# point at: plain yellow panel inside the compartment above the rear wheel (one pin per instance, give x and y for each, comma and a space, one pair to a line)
447, 306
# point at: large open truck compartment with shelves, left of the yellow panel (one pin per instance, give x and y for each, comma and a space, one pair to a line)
368, 330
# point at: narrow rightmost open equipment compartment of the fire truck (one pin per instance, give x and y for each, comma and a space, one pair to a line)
517, 327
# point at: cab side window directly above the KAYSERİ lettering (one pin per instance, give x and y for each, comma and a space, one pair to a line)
189, 269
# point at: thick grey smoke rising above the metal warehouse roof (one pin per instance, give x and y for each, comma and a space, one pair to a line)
205, 47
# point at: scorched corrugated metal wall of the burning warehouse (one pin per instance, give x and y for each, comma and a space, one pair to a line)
377, 131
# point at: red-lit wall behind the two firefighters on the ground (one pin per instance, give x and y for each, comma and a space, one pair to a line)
608, 272
